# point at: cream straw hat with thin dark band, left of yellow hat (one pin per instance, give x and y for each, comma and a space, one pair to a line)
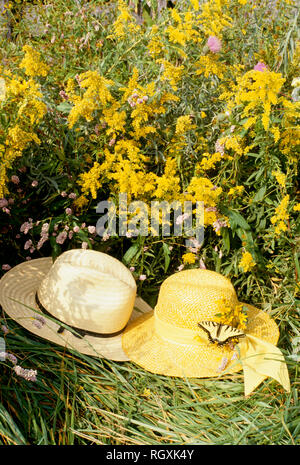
82, 301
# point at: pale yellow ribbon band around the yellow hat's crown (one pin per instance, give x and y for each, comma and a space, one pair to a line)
177, 335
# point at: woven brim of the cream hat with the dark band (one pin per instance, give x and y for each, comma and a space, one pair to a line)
17, 297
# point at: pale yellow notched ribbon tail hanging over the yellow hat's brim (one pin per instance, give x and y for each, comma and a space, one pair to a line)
261, 359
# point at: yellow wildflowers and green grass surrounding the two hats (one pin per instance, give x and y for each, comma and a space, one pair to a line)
193, 100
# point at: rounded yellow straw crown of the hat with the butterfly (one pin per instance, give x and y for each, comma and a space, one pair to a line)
191, 296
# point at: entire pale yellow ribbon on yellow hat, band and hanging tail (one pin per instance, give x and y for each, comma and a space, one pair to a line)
258, 358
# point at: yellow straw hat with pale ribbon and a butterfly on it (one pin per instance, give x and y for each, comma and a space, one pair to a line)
169, 340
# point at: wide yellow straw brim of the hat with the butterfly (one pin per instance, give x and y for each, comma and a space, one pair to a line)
150, 351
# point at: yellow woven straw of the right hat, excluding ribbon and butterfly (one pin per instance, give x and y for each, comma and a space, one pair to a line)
185, 299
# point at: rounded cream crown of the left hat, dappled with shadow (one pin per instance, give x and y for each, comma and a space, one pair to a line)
89, 290
